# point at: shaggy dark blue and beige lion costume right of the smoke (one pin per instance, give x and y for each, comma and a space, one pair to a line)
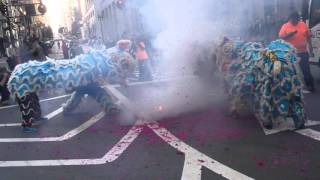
264, 77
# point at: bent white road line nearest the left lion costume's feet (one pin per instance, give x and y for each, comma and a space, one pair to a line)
64, 137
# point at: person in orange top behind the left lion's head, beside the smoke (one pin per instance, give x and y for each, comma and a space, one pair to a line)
143, 61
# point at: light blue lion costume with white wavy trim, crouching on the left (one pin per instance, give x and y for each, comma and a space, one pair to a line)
81, 75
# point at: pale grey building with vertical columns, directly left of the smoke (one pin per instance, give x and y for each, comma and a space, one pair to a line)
106, 20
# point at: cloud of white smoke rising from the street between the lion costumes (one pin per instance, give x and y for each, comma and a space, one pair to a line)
181, 30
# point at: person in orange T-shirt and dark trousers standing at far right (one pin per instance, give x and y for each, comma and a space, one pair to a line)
297, 33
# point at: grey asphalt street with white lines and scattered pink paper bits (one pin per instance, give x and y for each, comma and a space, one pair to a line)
202, 143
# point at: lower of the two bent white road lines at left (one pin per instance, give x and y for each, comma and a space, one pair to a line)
109, 157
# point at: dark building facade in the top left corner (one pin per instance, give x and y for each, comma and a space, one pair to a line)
20, 19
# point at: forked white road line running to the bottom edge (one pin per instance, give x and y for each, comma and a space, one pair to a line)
196, 158
